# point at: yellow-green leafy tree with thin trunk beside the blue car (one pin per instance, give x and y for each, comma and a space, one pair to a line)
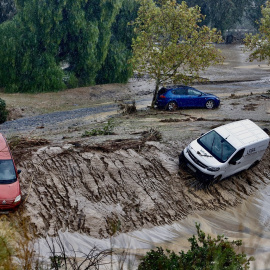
170, 45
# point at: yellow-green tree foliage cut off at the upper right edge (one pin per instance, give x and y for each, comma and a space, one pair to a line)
259, 44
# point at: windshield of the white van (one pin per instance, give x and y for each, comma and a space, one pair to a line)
217, 146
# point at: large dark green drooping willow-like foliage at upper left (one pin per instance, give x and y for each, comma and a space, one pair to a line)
45, 34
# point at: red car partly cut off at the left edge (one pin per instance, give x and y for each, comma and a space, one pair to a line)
10, 192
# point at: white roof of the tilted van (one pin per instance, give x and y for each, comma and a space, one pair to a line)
242, 133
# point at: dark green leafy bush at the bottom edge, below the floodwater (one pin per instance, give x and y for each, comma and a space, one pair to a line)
205, 253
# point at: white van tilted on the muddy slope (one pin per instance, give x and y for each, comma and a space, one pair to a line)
225, 150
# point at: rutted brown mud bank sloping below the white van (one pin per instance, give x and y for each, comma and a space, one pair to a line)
86, 190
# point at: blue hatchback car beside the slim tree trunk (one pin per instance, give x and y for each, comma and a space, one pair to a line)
172, 98
